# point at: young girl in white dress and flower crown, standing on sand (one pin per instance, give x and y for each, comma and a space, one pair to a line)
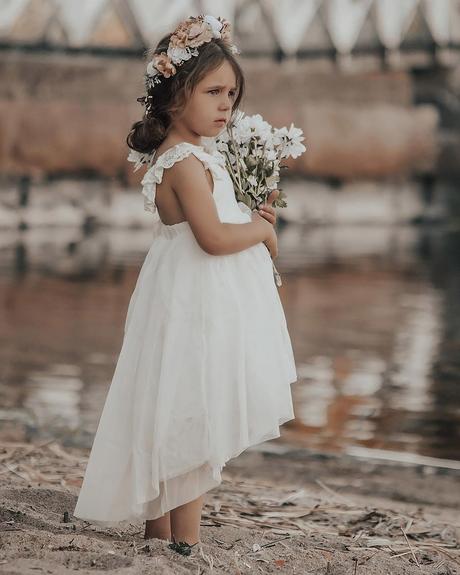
206, 360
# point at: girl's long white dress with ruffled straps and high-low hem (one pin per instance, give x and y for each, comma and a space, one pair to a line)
204, 369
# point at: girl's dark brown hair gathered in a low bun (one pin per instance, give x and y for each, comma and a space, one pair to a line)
171, 94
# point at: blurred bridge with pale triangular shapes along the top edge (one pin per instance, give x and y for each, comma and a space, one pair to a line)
389, 32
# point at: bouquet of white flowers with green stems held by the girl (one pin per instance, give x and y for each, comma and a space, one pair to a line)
253, 150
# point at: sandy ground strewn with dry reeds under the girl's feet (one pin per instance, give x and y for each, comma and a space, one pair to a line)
295, 512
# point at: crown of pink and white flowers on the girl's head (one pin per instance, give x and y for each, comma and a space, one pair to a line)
183, 44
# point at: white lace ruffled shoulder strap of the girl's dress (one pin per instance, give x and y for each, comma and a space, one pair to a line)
215, 162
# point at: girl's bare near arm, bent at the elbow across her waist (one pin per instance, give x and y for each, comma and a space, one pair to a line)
189, 182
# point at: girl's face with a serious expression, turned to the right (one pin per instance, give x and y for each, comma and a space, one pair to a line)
211, 100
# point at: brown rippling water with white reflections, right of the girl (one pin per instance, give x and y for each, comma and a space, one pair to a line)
378, 337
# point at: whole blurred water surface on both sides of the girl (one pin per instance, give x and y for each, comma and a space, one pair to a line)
373, 315
